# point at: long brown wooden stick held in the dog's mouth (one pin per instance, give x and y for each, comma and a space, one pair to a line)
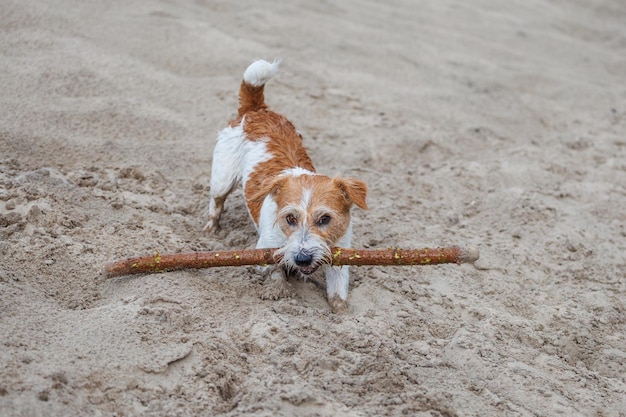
262, 257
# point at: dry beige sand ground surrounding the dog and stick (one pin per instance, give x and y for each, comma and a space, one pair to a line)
497, 124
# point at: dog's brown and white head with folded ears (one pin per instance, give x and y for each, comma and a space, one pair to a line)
313, 212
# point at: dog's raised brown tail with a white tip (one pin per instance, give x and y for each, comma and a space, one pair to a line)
251, 96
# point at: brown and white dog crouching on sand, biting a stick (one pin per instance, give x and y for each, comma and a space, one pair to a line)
294, 208
